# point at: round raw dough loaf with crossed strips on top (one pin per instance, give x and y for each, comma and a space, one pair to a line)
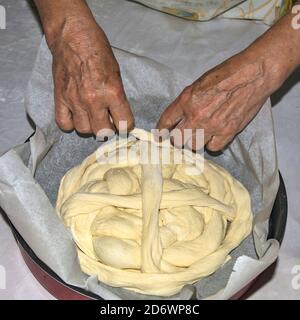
152, 228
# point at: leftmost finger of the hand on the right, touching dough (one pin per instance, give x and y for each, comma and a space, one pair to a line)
172, 115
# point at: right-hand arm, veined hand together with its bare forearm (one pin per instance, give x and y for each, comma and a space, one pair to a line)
225, 99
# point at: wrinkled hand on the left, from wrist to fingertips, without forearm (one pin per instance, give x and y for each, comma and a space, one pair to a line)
88, 90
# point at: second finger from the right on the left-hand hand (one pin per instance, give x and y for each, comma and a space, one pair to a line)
101, 124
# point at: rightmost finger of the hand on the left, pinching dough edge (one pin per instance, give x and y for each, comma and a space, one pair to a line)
122, 116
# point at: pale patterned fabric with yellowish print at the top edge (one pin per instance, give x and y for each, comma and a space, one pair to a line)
266, 10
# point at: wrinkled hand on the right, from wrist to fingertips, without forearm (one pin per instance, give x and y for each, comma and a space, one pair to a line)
222, 102
